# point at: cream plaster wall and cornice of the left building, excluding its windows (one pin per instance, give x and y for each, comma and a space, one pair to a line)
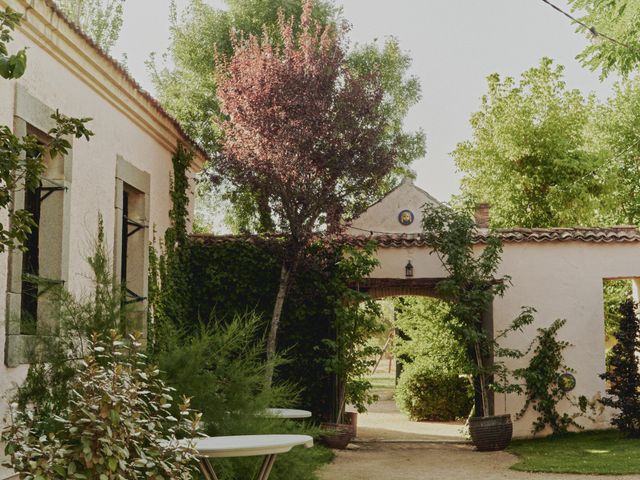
65, 73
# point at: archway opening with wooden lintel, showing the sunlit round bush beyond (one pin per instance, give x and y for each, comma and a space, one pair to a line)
413, 317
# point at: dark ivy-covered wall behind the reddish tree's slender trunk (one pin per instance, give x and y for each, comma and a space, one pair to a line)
226, 276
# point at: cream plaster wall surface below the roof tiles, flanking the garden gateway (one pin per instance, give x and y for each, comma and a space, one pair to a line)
558, 279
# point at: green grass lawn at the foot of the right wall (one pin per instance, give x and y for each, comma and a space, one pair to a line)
595, 452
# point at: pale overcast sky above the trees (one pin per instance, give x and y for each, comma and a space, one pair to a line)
454, 44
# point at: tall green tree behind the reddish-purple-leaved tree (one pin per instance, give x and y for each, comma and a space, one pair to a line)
187, 86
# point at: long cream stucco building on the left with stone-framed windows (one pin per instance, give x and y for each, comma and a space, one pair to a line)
122, 173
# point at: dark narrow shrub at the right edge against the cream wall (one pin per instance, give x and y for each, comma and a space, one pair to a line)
624, 375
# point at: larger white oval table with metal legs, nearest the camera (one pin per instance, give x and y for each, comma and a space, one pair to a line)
268, 446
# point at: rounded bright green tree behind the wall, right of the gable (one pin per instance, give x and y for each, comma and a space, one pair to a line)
528, 155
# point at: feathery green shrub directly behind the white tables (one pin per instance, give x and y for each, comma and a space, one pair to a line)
221, 367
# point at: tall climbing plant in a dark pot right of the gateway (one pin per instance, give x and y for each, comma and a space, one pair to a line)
470, 288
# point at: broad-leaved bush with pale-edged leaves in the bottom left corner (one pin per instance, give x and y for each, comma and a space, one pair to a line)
117, 425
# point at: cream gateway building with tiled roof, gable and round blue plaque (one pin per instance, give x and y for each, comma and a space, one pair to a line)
558, 271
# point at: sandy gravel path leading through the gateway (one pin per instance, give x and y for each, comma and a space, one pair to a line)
390, 447
